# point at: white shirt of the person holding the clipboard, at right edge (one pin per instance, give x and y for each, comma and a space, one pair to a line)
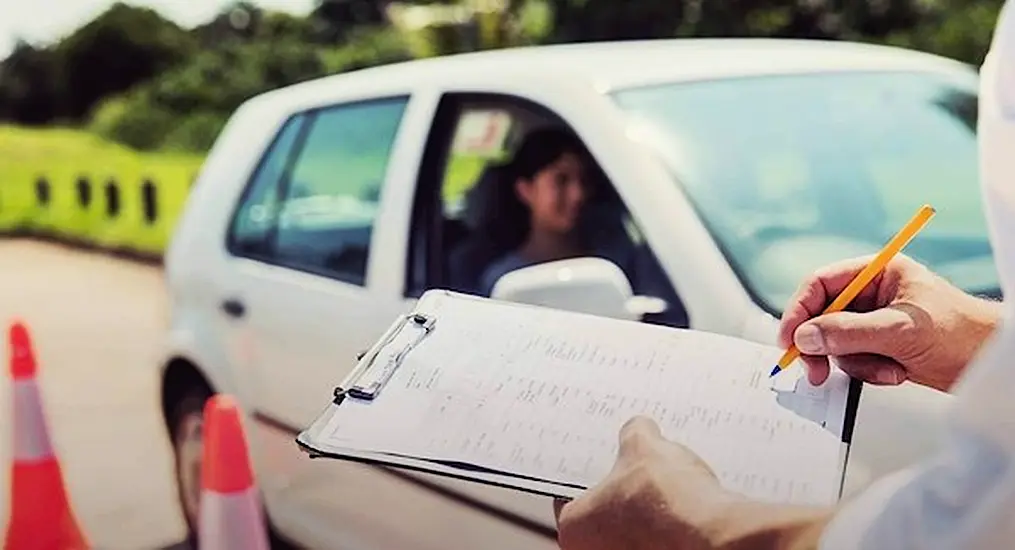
965, 498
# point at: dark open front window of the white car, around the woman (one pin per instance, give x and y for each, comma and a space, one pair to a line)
470, 228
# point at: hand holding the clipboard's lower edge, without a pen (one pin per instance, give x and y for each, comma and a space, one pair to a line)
661, 496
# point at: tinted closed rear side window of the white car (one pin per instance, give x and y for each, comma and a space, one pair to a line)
320, 218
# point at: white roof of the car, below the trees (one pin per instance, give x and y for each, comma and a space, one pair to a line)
621, 64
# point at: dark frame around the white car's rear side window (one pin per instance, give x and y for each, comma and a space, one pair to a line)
282, 186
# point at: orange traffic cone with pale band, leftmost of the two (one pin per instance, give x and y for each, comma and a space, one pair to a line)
41, 516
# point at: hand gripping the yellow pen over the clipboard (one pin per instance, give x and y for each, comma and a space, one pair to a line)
909, 324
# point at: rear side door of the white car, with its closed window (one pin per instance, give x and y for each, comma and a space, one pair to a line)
302, 290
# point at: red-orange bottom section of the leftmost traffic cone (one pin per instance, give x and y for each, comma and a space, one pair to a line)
41, 516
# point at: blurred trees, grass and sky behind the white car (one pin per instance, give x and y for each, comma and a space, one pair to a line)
136, 94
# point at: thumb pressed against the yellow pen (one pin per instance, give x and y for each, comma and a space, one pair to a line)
846, 333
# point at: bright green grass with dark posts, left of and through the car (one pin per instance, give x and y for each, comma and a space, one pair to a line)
63, 157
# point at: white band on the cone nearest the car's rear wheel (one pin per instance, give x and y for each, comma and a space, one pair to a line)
232, 522
